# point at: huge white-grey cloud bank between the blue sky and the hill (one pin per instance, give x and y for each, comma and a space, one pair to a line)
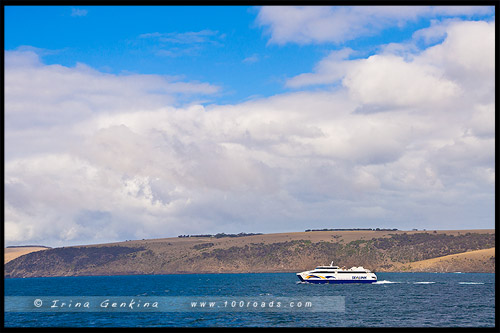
399, 139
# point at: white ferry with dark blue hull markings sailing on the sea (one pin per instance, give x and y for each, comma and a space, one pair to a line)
335, 274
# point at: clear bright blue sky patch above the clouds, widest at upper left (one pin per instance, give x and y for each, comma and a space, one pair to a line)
218, 44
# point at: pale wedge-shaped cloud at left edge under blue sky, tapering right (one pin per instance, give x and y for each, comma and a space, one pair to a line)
38, 94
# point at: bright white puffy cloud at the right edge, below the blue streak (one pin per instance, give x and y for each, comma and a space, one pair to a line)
400, 77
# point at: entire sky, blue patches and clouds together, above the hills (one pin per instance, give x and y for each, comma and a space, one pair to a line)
150, 122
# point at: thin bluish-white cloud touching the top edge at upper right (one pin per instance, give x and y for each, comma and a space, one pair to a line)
318, 24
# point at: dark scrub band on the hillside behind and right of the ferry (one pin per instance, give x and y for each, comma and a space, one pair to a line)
401, 248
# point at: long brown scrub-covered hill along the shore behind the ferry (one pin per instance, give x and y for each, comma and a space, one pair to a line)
285, 252
